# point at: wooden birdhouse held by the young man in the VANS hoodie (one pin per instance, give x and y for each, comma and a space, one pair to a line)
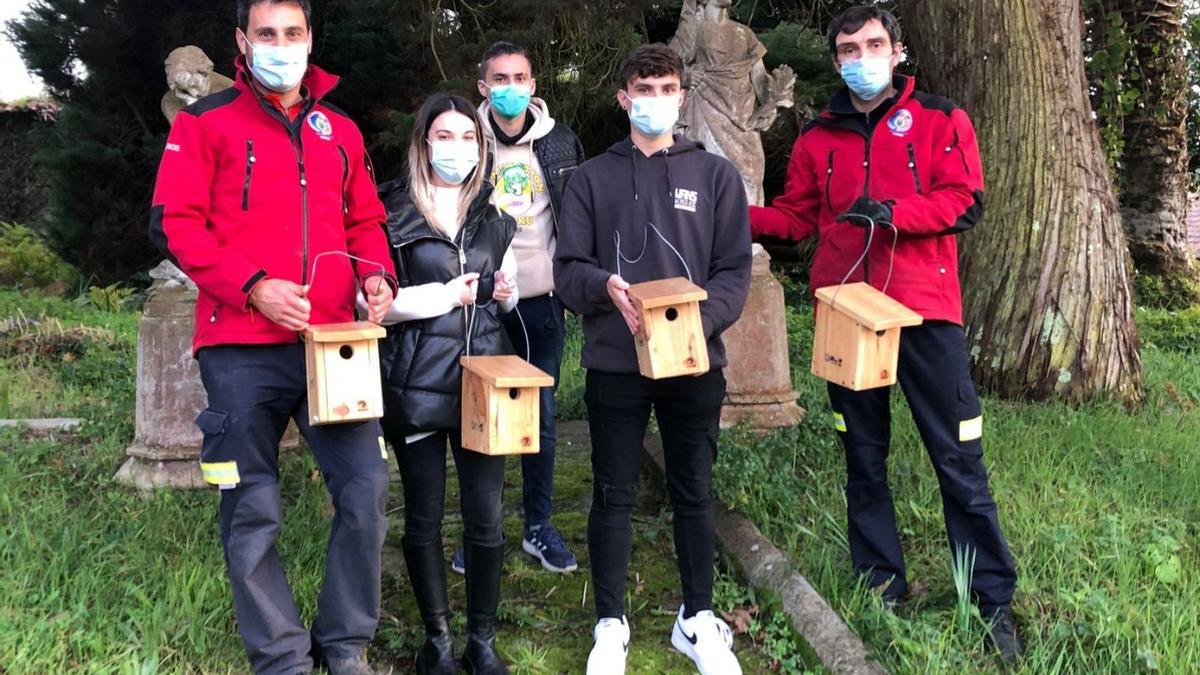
671, 342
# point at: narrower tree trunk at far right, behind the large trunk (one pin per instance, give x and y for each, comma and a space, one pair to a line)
1155, 187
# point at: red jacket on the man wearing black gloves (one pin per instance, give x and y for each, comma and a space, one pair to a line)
917, 153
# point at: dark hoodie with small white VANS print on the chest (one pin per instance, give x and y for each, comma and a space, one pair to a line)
698, 204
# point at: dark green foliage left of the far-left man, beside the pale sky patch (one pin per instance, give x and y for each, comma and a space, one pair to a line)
104, 62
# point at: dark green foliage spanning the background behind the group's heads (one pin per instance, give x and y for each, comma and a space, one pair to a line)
103, 59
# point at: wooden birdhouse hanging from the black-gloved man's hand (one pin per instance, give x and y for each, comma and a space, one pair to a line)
857, 341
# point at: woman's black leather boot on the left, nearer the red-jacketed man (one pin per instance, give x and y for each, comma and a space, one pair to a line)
427, 570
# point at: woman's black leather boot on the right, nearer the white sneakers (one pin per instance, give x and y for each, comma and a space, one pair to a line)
484, 570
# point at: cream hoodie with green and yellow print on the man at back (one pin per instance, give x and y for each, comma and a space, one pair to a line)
521, 193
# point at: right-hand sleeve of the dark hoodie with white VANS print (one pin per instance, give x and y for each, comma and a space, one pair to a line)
729, 272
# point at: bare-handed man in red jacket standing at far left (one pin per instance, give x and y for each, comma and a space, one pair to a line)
256, 184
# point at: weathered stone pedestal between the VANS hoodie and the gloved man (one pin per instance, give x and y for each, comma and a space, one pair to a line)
759, 373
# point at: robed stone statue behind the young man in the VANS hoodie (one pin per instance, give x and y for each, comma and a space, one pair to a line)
731, 97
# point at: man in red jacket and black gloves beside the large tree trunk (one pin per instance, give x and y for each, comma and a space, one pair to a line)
886, 178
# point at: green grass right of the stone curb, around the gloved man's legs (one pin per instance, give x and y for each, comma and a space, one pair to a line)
1100, 506
